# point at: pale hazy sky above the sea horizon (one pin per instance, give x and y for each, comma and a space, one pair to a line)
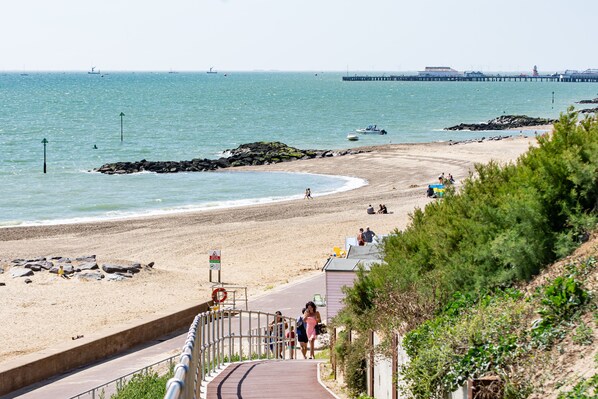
295, 35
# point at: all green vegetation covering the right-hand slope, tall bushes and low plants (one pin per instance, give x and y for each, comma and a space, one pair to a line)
447, 281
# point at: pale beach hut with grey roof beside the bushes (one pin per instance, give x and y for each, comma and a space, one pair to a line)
341, 272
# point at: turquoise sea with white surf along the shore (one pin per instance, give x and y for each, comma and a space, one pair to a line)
186, 115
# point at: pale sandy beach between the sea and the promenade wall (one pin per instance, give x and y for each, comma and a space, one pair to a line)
262, 246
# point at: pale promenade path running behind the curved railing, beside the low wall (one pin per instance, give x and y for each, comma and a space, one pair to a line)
289, 299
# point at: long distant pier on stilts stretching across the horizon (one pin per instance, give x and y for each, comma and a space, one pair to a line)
484, 78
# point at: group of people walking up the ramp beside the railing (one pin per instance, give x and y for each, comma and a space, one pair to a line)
305, 334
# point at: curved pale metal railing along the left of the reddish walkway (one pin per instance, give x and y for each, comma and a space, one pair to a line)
218, 338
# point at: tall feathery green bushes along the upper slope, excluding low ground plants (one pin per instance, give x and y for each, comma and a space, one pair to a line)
501, 227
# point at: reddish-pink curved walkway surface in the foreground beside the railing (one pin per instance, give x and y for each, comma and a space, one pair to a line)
270, 379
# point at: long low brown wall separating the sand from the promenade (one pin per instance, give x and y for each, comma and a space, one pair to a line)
29, 369
